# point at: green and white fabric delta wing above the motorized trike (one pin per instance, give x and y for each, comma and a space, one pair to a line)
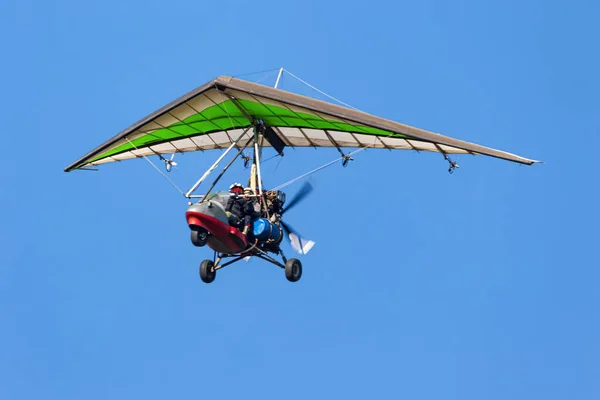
214, 115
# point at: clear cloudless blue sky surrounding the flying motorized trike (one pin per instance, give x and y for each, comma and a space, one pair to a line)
422, 285
